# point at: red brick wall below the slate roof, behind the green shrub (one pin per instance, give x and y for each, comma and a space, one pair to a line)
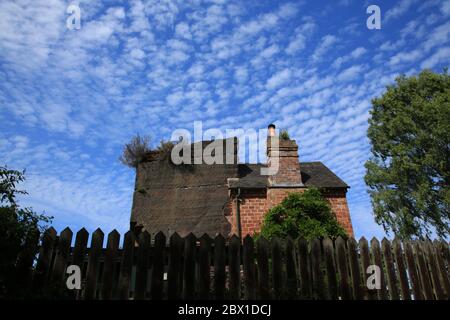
255, 204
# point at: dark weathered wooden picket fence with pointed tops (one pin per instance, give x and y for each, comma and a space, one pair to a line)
146, 267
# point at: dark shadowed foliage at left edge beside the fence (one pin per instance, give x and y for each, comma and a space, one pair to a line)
19, 229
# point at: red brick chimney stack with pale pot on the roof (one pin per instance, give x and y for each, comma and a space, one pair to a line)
288, 174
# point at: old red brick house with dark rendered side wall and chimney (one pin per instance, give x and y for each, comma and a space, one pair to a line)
227, 198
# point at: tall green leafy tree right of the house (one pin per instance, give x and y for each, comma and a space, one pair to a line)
408, 174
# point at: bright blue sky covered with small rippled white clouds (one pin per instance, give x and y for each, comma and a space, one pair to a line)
70, 99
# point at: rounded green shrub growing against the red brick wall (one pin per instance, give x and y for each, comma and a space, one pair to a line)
307, 214
